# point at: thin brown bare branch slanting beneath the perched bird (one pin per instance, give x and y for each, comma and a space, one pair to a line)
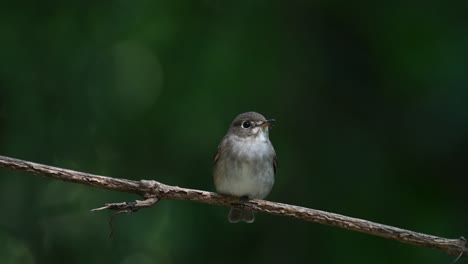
153, 191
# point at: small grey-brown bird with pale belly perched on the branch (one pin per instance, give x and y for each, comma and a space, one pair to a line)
245, 163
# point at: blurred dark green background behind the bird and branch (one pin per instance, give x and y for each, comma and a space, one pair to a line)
370, 102
